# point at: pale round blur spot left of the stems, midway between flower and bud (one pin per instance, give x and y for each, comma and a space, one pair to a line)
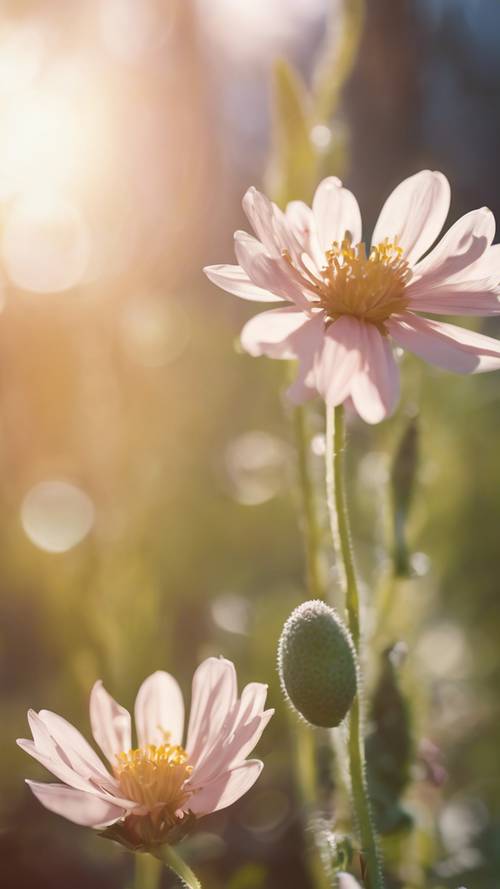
257, 467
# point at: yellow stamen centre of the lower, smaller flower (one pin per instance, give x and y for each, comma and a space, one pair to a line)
154, 777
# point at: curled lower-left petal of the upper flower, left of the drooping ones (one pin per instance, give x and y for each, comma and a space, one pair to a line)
282, 333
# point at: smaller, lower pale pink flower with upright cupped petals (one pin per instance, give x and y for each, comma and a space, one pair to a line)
150, 789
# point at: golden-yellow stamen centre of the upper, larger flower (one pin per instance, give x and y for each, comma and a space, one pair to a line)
369, 287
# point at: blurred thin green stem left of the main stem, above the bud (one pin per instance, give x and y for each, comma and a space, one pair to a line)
311, 525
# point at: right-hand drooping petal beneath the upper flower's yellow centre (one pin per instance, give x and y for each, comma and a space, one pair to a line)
375, 388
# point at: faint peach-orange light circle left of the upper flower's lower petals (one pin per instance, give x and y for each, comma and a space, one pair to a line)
155, 330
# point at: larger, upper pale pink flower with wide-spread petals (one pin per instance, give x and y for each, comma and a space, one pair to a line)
346, 307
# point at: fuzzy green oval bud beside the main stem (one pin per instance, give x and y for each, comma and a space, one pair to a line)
317, 664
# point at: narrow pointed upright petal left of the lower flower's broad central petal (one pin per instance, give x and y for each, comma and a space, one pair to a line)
111, 724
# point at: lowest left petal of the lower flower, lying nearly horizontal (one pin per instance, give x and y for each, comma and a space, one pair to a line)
76, 805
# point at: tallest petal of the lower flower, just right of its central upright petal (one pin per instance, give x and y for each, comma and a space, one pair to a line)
213, 697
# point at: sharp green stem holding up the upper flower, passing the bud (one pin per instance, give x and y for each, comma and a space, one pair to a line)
341, 532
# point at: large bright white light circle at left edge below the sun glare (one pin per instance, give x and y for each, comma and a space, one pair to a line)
45, 244
